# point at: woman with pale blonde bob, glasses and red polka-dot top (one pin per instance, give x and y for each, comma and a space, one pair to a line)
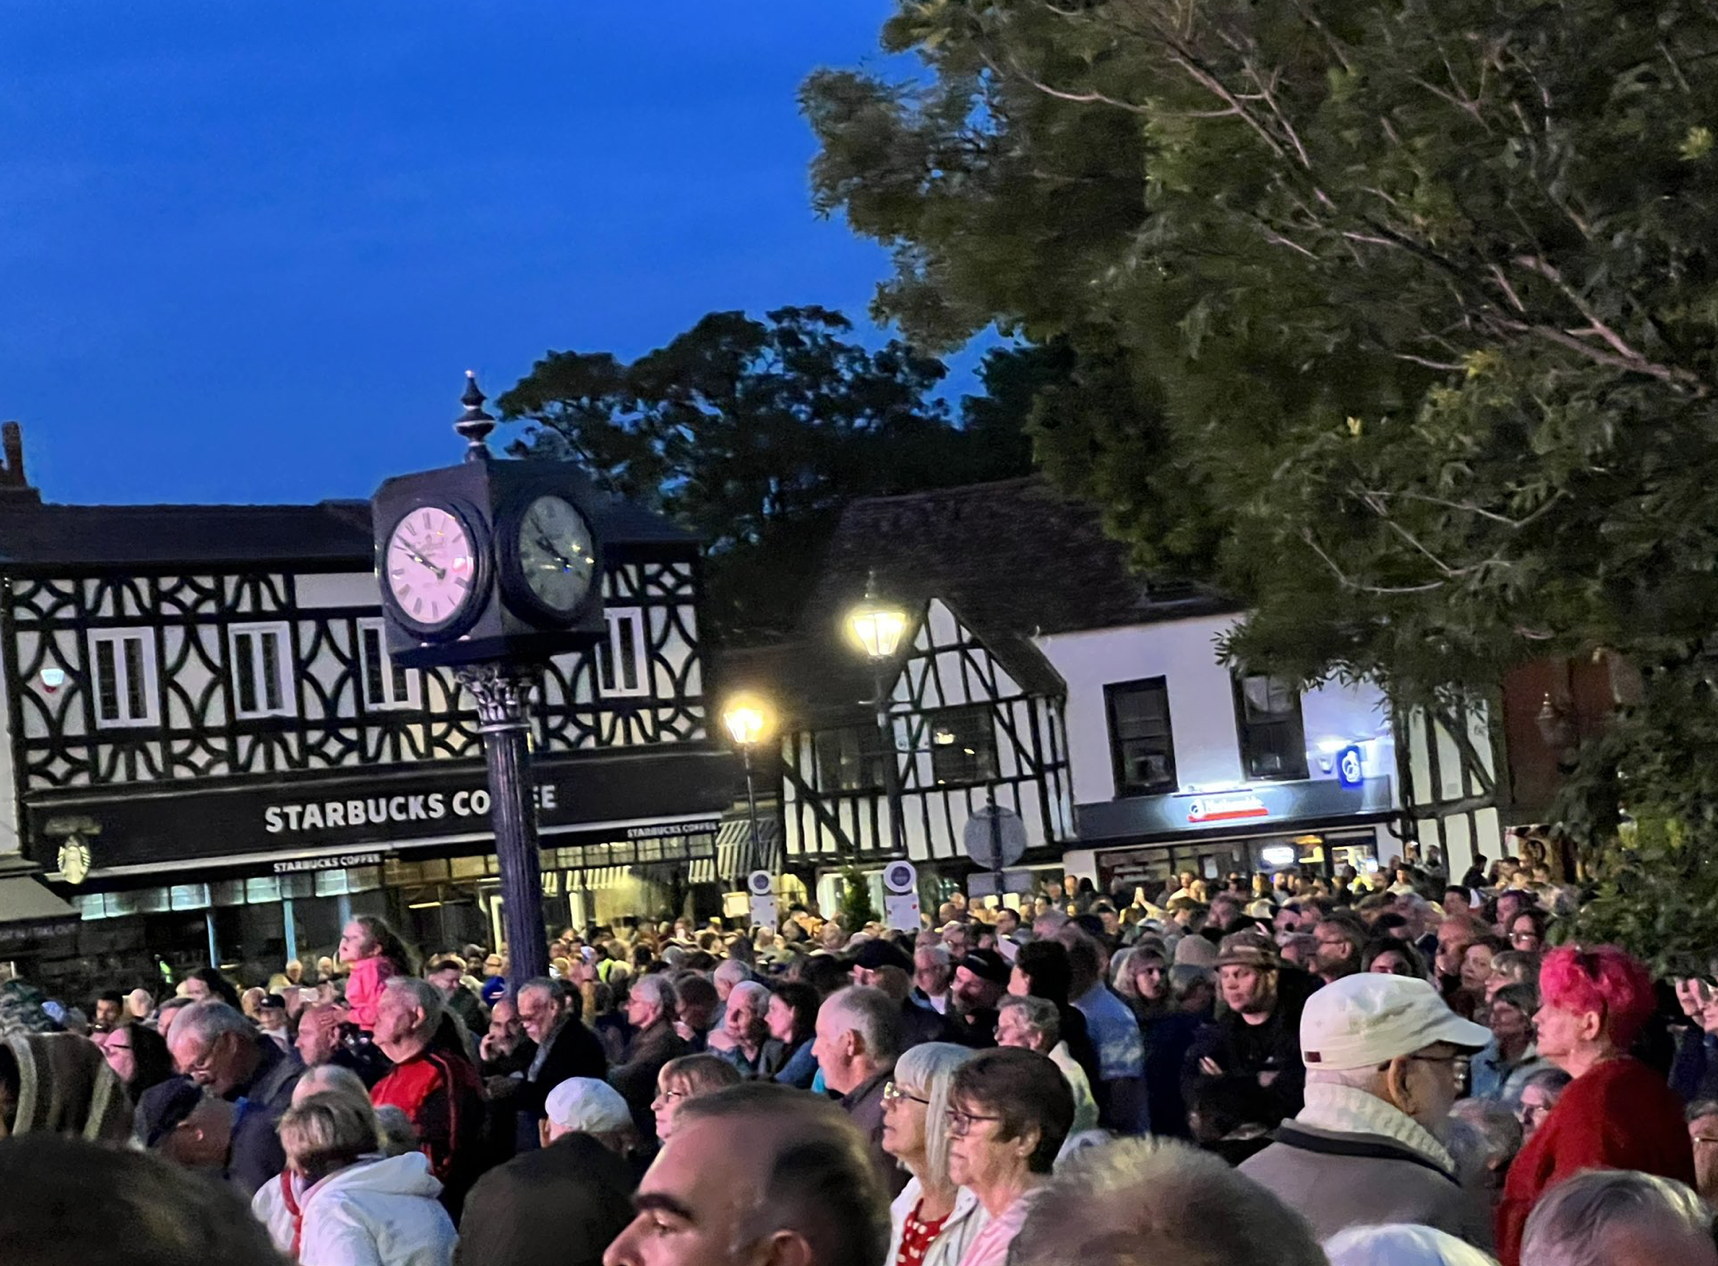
934, 1220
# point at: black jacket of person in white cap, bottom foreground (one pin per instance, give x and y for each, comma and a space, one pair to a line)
556, 1207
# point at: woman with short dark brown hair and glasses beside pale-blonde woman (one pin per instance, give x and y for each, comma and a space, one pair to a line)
1009, 1112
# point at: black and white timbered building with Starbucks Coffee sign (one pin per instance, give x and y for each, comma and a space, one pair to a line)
210, 757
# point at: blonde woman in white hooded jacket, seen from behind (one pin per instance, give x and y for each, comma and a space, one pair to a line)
341, 1203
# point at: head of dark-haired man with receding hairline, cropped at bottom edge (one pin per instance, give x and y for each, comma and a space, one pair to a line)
803, 1190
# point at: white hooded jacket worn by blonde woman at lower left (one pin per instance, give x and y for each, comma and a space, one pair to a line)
374, 1214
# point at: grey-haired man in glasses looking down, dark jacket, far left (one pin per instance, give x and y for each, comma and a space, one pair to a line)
221, 1050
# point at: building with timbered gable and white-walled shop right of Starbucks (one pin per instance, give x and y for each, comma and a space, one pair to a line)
1047, 678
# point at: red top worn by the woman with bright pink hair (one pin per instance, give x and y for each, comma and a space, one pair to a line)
1617, 1116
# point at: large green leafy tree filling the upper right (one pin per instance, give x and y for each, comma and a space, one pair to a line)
1394, 317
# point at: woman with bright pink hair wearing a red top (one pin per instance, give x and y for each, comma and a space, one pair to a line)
1617, 1114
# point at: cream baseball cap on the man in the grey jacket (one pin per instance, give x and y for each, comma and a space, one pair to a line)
1370, 1019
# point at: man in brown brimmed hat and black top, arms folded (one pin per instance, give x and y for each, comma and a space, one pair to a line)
1260, 1032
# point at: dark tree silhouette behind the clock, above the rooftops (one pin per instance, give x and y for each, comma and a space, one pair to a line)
753, 434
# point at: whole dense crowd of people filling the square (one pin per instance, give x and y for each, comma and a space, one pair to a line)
1377, 1071
